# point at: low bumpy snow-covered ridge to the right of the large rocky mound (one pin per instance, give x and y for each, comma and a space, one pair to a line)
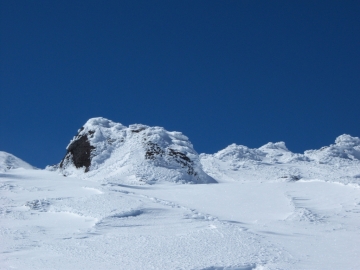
338, 162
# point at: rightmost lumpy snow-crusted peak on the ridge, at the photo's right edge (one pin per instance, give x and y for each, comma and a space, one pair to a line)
345, 149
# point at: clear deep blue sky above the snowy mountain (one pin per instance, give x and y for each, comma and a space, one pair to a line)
221, 72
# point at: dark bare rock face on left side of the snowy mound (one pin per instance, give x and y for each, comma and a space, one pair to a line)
78, 153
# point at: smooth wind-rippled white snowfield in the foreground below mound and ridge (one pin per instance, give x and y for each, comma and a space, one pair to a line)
48, 221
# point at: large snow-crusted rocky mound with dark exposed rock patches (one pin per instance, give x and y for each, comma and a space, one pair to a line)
106, 150
